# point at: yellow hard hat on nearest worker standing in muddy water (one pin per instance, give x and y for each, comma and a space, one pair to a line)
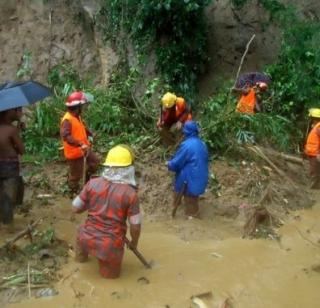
119, 156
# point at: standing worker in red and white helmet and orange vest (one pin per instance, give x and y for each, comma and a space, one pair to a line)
76, 145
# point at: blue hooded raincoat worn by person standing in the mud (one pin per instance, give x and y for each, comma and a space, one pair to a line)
190, 163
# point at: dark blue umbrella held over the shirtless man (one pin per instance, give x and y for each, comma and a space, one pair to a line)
19, 94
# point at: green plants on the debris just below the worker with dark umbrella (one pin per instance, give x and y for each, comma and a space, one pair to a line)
223, 128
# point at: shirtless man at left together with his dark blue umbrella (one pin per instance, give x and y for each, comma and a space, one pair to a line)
12, 97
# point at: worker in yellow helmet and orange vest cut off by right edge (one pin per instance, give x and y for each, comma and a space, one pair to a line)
312, 147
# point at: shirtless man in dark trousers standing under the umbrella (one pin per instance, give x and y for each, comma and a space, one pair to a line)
11, 146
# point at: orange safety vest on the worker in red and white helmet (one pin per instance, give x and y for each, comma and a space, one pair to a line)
78, 132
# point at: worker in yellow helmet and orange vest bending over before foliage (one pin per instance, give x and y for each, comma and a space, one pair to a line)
174, 112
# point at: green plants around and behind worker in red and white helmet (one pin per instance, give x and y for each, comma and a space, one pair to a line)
115, 116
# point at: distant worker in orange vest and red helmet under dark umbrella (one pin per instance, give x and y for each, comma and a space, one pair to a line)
250, 98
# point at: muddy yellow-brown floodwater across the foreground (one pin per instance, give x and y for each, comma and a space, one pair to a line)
251, 273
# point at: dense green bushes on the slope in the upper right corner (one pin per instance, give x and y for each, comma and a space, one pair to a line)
296, 72
